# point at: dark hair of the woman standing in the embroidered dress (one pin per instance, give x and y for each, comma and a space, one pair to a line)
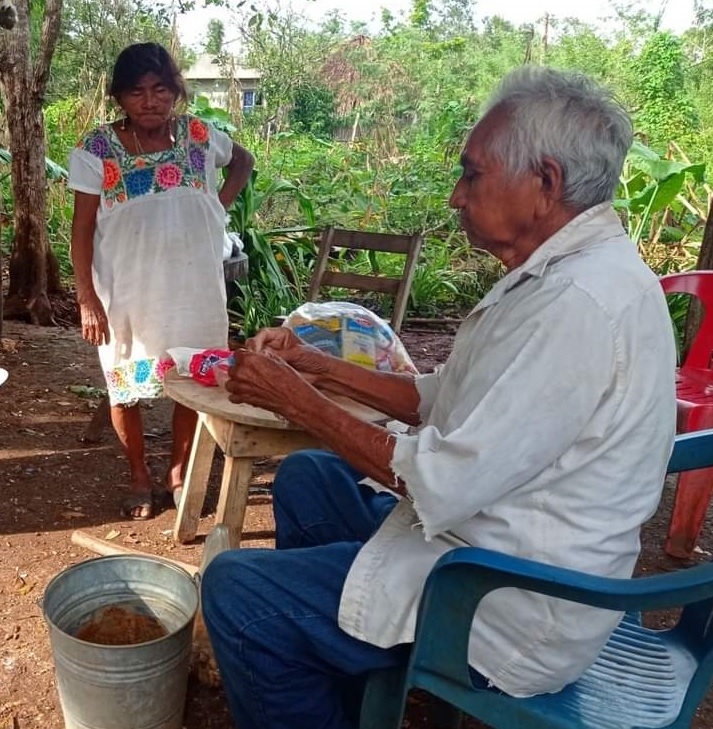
136, 60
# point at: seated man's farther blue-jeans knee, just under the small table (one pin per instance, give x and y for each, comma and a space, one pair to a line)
317, 499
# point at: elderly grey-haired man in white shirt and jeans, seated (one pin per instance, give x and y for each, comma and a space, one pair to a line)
545, 435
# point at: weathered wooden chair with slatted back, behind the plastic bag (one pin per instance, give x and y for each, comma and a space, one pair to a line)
324, 277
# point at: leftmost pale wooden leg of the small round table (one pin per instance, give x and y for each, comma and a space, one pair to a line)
195, 484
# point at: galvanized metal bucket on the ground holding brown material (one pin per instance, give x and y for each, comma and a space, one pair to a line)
141, 686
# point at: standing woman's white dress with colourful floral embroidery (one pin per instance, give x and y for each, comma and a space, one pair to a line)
157, 264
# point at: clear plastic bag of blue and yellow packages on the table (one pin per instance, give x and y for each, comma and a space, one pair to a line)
351, 332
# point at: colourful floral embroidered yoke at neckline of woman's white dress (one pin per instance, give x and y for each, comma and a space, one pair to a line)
129, 176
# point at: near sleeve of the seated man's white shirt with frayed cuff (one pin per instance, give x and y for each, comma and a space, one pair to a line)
520, 426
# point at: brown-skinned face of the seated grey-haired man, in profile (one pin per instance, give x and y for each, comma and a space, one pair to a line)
498, 212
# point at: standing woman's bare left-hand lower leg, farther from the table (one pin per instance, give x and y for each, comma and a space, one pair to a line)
128, 426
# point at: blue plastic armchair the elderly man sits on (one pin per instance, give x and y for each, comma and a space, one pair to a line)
643, 678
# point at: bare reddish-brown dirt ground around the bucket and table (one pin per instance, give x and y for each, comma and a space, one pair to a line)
52, 484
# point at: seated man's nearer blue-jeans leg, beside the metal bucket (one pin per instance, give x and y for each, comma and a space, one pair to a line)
272, 619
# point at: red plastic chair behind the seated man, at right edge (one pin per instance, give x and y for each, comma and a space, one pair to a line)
694, 400
